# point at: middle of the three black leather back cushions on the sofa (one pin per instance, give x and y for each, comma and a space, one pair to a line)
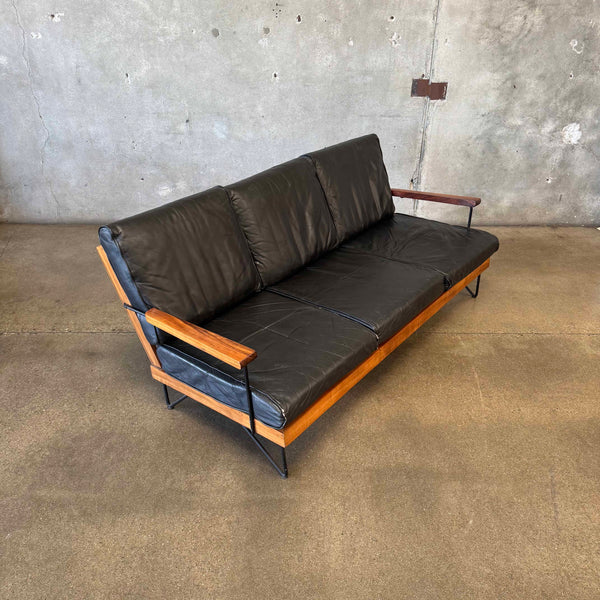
285, 217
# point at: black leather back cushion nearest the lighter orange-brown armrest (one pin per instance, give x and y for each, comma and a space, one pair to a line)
188, 258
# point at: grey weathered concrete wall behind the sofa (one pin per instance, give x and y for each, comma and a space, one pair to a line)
108, 108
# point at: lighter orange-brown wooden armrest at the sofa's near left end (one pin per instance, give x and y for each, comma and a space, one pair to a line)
228, 351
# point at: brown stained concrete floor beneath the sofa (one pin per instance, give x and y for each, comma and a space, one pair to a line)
467, 465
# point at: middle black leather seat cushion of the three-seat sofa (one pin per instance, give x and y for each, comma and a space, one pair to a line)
381, 294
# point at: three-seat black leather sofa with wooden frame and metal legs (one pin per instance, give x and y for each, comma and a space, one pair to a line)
269, 298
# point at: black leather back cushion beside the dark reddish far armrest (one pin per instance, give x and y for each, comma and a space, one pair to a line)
355, 183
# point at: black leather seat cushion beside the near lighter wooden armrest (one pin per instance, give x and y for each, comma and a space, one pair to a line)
302, 352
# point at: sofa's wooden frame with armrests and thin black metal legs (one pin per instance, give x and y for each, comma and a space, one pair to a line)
240, 356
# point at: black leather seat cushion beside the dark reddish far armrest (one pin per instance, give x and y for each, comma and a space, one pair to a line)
449, 249
